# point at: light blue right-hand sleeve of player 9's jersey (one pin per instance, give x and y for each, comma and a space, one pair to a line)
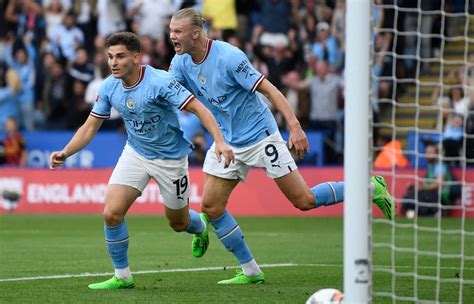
242, 71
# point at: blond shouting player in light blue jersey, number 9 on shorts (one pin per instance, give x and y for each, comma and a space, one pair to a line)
223, 79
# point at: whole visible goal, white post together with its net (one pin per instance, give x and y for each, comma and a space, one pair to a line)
417, 259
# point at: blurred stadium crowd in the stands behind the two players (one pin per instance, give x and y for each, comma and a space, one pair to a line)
55, 51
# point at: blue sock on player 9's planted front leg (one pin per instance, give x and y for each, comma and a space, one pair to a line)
229, 233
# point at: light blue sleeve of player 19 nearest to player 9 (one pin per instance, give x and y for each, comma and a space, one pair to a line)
174, 92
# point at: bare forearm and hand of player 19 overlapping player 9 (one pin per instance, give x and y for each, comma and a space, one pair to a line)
209, 122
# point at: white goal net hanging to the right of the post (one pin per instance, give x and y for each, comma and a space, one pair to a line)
422, 90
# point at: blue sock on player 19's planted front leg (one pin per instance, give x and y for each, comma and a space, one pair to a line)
116, 239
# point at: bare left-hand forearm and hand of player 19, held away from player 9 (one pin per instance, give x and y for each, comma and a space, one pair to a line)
81, 138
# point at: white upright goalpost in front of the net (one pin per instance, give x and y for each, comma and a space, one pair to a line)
356, 151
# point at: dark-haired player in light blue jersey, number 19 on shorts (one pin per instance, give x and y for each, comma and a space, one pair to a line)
147, 99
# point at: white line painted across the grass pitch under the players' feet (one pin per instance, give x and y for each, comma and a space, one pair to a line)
88, 274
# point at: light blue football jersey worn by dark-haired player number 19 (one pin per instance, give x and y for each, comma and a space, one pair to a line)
149, 110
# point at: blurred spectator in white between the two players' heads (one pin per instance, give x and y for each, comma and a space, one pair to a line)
150, 17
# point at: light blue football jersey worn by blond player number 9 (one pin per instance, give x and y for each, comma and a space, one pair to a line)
225, 82
